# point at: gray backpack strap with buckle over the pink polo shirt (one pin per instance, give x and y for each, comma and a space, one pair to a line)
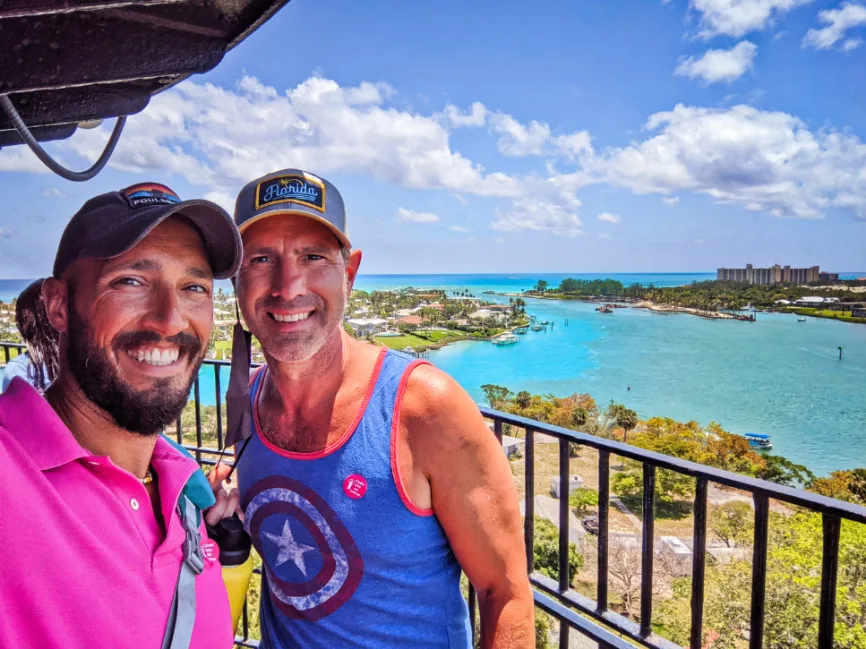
181, 618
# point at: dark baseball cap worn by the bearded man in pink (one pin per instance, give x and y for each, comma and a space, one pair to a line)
113, 223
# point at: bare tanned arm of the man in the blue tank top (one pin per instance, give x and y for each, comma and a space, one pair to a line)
475, 500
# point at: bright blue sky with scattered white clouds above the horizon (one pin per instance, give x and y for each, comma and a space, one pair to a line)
628, 136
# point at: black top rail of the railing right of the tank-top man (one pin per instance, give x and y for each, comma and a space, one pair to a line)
789, 495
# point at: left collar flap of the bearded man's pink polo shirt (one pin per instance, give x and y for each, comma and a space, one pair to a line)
37, 427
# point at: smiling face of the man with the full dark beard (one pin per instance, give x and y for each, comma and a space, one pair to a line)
138, 325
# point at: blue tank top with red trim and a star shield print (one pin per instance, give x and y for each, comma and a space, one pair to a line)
348, 561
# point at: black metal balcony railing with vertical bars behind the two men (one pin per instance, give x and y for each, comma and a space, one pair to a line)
594, 618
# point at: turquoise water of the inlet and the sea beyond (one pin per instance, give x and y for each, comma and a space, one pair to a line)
775, 376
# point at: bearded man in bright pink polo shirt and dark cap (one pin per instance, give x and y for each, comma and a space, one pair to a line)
103, 542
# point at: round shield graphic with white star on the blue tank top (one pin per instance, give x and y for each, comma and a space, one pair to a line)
312, 564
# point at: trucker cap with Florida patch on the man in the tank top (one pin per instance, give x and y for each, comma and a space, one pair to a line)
292, 191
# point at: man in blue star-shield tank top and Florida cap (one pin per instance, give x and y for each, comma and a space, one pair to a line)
370, 479
